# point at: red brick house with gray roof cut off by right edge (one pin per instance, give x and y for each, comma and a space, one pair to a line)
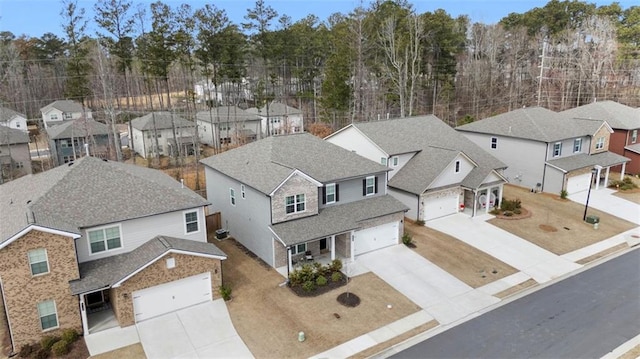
625, 122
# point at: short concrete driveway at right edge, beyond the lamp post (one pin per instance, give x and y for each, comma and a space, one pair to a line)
604, 200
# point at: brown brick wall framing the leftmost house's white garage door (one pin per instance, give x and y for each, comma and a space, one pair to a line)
158, 273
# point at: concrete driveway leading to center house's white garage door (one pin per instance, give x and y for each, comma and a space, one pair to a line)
440, 294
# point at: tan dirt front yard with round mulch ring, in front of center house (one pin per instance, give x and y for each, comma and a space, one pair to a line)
268, 315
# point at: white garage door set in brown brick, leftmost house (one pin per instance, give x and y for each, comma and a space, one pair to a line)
168, 297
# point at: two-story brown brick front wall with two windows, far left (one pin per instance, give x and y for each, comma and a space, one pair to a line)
23, 291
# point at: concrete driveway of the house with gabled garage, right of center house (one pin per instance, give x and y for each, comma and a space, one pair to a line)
521, 254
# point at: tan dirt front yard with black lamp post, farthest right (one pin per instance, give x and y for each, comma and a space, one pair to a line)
556, 224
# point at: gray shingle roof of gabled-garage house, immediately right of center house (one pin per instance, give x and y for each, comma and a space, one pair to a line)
437, 143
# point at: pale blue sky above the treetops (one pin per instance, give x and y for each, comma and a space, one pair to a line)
36, 17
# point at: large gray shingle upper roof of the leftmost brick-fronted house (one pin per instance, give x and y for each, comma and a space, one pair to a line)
89, 192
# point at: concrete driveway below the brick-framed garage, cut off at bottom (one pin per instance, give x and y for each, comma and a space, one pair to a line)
202, 331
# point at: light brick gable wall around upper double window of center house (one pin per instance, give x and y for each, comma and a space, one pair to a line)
295, 185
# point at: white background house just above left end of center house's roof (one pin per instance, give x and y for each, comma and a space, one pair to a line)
230, 124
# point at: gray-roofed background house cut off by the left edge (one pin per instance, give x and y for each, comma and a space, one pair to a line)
15, 158
